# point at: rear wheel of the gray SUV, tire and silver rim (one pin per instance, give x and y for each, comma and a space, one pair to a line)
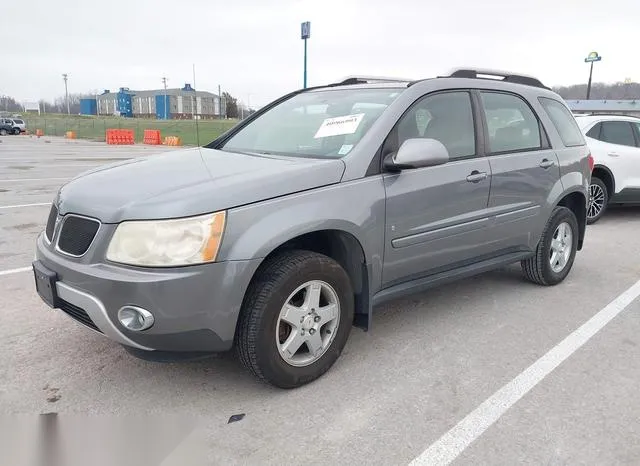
556, 250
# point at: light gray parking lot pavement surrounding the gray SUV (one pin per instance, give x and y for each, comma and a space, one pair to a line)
399, 392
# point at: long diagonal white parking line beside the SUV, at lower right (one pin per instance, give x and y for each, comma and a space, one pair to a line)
453, 443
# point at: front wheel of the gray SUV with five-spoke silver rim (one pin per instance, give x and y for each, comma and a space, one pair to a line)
295, 318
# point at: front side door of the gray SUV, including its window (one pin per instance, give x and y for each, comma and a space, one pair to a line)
435, 216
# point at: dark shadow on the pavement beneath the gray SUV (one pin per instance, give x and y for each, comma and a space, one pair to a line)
223, 372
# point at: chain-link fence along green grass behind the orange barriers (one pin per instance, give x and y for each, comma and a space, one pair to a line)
95, 128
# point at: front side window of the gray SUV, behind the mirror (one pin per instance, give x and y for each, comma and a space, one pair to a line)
446, 117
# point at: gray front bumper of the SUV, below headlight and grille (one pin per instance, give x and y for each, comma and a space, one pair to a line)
195, 308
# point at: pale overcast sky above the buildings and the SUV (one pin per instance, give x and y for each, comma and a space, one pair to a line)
252, 48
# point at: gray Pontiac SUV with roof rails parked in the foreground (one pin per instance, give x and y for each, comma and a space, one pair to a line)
283, 233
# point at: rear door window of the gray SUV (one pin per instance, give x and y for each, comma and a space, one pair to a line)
511, 123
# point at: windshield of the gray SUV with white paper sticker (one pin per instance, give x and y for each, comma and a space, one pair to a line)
323, 124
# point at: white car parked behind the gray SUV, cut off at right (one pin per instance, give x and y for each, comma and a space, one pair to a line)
615, 146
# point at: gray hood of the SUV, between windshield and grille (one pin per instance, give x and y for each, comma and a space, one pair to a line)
190, 182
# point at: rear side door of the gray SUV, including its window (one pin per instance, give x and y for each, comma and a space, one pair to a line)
524, 170
